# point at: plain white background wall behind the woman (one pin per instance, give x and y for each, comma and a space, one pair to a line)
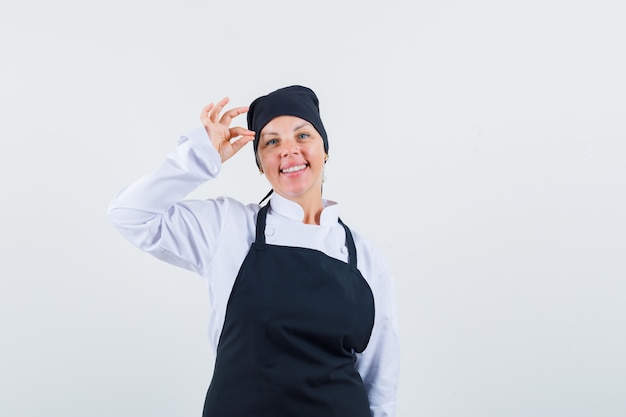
480, 144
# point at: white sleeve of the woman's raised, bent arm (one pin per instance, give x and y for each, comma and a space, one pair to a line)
151, 213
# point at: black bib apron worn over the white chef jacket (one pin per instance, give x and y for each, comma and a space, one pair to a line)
294, 320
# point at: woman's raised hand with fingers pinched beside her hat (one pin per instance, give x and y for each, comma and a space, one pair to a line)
227, 140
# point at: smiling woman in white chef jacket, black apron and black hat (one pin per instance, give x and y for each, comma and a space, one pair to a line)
302, 316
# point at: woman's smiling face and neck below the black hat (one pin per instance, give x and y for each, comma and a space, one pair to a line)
291, 155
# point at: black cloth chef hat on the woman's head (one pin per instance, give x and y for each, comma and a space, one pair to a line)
294, 100
